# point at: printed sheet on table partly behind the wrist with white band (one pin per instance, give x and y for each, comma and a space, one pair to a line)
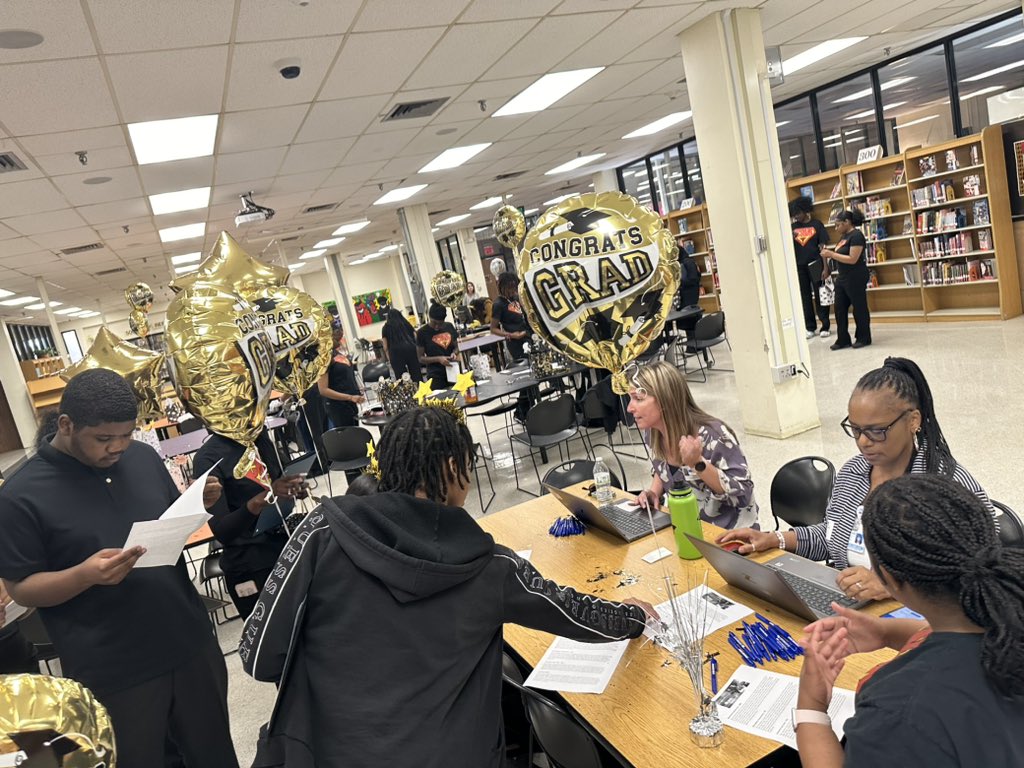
759, 702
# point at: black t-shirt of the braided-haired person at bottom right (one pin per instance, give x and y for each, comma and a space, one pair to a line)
932, 706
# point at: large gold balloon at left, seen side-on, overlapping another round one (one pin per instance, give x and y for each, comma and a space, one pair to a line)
224, 364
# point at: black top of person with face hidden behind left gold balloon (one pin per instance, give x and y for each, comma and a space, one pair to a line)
233, 525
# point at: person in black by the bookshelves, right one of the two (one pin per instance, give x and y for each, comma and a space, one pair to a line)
851, 281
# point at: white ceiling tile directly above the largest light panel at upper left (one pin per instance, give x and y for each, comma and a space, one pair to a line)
191, 82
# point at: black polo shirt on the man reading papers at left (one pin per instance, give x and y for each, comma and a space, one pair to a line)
56, 513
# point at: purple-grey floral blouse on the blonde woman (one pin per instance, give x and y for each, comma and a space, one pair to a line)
736, 507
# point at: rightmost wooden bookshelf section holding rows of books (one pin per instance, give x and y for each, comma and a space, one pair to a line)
964, 232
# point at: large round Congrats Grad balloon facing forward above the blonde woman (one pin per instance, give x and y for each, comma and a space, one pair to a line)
601, 273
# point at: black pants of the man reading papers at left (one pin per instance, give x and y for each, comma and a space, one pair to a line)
189, 704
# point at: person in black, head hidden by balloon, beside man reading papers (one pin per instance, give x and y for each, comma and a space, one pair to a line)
248, 557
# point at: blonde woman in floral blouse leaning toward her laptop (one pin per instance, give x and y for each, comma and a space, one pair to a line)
689, 445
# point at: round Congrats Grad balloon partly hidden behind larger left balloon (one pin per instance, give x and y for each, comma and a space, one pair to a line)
301, 332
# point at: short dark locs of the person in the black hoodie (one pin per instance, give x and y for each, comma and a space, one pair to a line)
415, 450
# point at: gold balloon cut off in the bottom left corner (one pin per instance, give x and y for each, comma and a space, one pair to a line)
51, 718
